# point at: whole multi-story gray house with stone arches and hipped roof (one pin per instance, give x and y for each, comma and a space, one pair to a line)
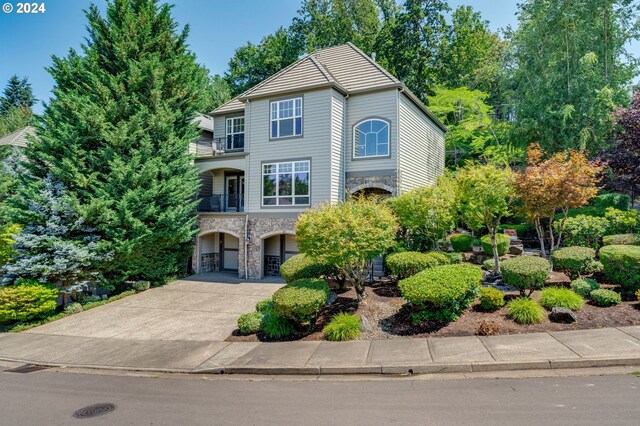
331, 124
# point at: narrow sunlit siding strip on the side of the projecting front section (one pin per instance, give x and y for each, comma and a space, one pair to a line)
337, 146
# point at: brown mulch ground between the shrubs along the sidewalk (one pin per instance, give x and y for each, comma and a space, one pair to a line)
389, 317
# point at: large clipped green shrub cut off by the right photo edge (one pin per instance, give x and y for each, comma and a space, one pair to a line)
622, 266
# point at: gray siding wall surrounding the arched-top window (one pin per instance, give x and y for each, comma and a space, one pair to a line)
372, 105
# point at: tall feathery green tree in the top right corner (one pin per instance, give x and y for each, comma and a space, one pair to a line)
572, 68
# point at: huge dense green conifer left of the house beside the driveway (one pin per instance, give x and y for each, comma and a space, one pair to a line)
116, 135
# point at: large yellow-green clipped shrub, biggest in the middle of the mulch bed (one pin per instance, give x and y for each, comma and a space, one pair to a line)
443, 292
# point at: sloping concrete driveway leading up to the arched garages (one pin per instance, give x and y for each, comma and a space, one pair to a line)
199, 308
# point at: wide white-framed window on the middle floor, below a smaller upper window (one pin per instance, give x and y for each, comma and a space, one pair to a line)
286, 184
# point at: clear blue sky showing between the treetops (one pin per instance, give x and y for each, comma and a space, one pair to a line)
27, 41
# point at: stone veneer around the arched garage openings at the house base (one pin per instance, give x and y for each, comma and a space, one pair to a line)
259, 228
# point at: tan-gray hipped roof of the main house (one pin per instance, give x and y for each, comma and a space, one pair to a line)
345, 68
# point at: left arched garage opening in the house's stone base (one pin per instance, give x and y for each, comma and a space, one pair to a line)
219, 251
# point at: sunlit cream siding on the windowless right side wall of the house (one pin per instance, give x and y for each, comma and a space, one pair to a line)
421, 158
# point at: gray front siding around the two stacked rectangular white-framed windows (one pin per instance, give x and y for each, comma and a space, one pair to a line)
314, 144
